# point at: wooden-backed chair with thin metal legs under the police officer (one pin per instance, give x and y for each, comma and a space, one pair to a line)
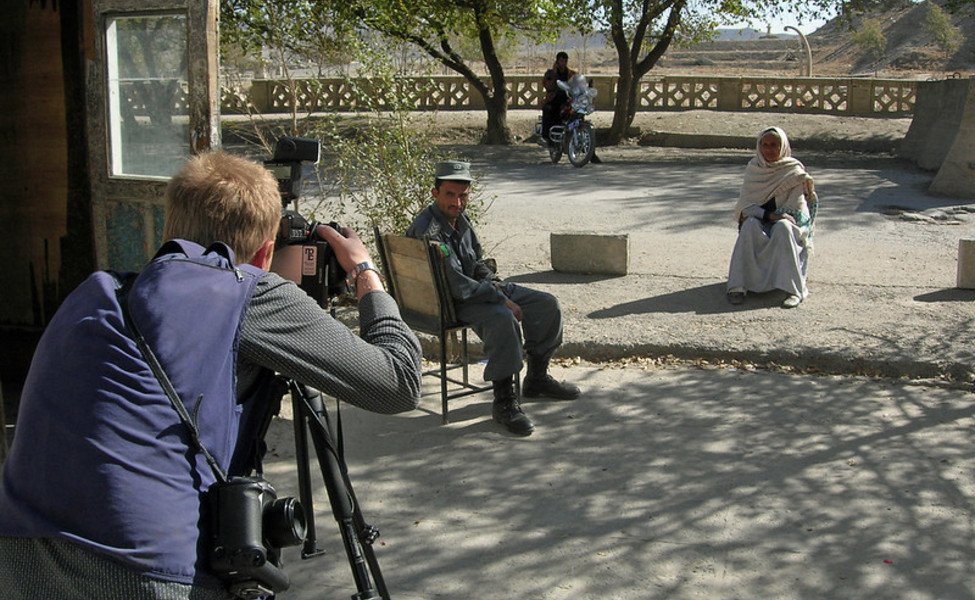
417, 279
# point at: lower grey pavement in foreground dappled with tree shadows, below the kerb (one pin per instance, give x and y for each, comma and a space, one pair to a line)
665, 484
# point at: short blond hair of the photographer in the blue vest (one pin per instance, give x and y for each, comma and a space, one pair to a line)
219, 197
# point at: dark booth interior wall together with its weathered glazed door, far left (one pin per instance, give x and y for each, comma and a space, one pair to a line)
103, 100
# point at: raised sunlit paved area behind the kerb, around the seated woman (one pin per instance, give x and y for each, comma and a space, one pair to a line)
882, 279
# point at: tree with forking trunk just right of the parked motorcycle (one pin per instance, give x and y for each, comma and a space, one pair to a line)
642, 31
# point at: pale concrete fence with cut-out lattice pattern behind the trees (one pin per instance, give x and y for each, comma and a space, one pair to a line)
846, 96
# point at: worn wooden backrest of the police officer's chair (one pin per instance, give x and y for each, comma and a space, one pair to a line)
417, 280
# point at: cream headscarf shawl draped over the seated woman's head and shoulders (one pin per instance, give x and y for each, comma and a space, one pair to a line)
781, 179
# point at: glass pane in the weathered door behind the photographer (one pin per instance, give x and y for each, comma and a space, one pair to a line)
148, 117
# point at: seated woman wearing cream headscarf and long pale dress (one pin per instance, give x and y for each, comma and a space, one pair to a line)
774, 223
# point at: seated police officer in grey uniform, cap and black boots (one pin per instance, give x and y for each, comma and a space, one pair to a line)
492, 307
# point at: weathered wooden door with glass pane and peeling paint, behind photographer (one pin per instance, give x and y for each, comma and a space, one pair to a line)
155, 101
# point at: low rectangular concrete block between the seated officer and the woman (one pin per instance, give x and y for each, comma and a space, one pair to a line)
592, 254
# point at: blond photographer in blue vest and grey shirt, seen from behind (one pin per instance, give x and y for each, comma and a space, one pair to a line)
101, 491
